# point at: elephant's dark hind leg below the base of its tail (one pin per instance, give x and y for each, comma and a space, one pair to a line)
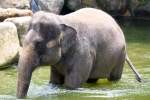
116, 72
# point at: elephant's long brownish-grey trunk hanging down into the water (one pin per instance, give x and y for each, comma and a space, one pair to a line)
28, 61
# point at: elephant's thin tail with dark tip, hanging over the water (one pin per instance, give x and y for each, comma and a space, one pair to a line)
137, 75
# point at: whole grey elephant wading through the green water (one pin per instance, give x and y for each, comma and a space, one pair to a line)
81, 47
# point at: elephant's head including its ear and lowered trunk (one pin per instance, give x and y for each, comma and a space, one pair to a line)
46, 41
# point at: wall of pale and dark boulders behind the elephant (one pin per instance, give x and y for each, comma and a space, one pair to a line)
15, 16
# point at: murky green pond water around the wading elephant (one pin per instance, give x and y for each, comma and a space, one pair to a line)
138, 41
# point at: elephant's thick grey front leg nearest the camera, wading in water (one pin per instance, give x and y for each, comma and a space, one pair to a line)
79, 71
